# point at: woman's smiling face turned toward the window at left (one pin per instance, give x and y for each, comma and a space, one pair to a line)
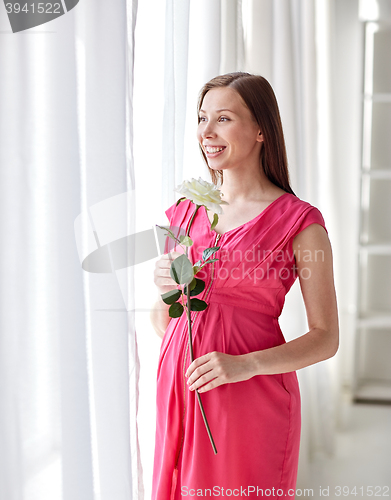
227, 132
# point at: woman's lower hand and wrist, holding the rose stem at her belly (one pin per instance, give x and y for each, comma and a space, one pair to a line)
217, 368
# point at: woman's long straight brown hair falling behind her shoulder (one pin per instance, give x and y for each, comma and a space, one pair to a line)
260, 99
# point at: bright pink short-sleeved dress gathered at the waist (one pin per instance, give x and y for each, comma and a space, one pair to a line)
255, 423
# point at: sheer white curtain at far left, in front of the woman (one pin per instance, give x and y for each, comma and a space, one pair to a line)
68, 357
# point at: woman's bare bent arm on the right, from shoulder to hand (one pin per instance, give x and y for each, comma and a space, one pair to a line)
319, 343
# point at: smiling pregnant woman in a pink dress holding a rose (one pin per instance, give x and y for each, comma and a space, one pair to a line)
243, 367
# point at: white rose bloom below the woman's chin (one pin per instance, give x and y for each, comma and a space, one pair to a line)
202, 193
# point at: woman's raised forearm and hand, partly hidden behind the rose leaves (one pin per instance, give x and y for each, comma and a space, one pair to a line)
164, 283
